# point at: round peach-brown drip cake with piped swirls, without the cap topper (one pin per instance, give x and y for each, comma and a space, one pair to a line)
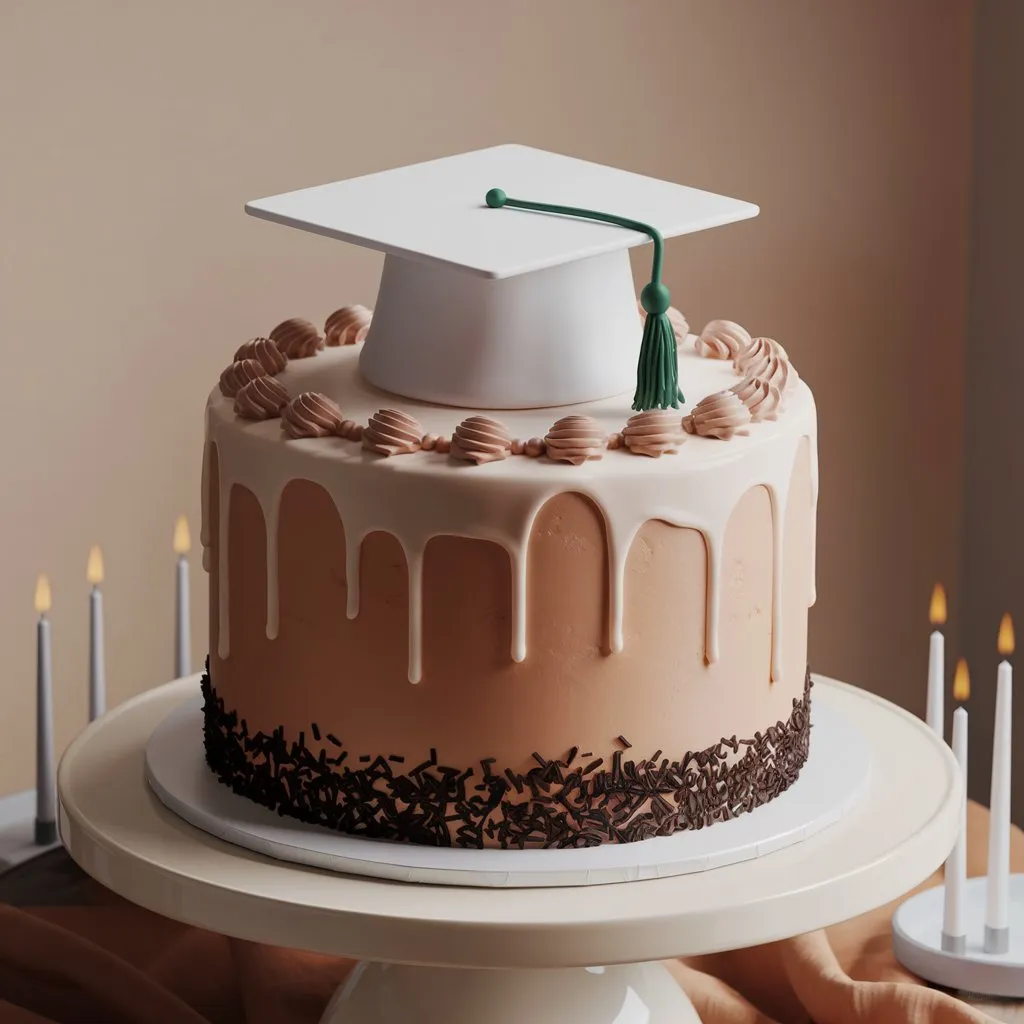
540, 628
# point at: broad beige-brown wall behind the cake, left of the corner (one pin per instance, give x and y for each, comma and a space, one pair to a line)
134, 134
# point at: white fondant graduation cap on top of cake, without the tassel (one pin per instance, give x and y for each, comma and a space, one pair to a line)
502, 309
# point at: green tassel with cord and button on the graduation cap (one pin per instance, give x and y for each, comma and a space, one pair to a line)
658, 369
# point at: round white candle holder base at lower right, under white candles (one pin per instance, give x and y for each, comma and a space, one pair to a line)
918, 943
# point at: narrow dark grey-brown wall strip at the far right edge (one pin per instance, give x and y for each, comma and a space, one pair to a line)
994, 552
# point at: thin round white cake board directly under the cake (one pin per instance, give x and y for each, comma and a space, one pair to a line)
832, 783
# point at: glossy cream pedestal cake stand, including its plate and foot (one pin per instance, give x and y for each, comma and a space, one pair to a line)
419, 943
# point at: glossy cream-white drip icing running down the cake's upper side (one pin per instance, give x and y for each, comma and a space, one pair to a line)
404, 499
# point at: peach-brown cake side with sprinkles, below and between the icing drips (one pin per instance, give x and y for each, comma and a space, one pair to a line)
577, 744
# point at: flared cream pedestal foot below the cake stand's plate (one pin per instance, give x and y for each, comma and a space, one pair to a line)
636, 994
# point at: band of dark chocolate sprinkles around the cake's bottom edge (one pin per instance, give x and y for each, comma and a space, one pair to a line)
552, 805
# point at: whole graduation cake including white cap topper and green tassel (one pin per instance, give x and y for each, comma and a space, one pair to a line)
513, 561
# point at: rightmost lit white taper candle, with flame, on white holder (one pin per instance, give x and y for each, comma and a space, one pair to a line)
998, 897
